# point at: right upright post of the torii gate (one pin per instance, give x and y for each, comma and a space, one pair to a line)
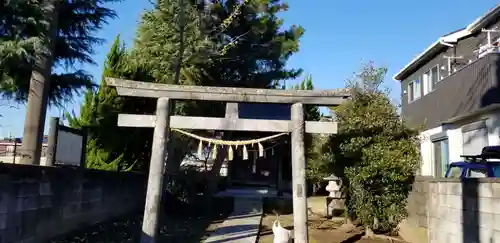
299, 174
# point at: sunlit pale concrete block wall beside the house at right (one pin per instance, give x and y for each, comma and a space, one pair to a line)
456, 211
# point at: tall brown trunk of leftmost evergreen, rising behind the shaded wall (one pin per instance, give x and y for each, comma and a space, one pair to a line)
38, 95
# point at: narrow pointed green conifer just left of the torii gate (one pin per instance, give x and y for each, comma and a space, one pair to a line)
99, 114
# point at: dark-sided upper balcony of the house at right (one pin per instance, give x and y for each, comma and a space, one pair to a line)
475, 86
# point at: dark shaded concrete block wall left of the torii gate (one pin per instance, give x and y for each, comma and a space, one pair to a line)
39, 203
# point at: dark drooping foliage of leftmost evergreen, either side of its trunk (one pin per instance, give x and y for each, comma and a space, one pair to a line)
21, 28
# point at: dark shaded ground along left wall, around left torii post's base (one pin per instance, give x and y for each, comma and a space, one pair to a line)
188, 225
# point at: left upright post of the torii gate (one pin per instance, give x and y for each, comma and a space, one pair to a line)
158, 157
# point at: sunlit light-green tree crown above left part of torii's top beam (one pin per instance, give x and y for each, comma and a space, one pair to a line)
157, 46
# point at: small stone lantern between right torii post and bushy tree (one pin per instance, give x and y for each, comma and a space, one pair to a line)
334, 201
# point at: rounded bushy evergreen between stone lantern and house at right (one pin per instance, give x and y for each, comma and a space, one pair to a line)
374, 152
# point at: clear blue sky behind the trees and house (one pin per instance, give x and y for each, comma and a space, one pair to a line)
339, 36
